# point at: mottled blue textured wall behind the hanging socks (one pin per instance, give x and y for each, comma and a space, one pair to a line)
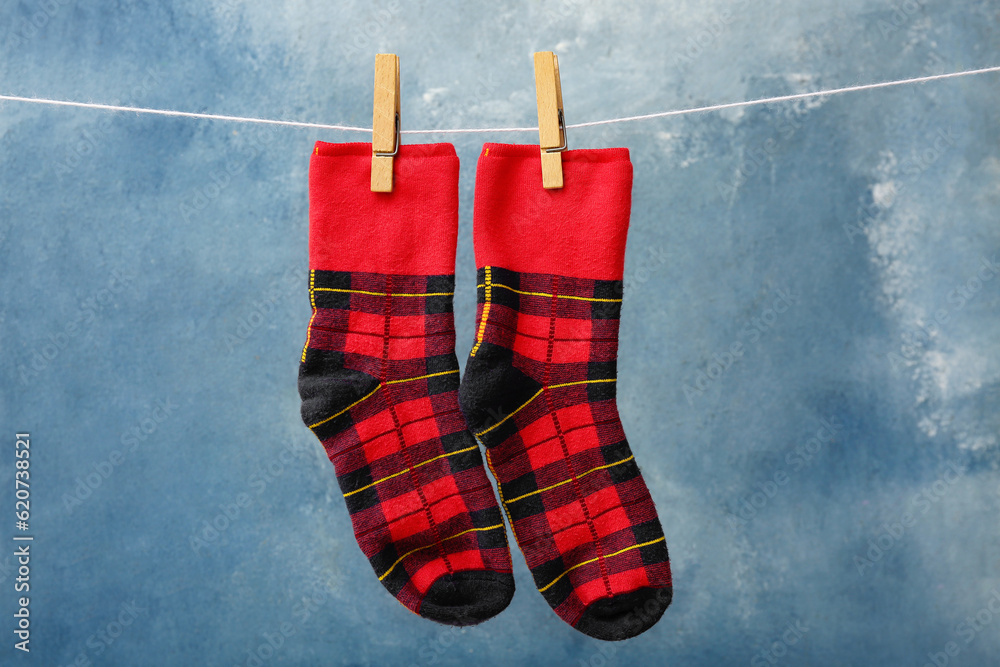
839, 476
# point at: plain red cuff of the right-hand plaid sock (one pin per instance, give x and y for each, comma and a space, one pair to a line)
578, 230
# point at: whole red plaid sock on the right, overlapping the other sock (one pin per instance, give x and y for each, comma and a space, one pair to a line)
539, 386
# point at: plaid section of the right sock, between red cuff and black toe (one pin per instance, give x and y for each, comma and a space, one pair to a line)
574, 496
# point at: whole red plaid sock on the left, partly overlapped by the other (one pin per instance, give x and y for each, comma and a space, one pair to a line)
379, 381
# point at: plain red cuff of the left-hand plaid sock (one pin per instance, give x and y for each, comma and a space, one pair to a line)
412, 230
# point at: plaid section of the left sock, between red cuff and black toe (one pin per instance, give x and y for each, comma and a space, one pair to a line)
379, 380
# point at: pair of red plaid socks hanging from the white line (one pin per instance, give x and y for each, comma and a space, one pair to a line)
380, 385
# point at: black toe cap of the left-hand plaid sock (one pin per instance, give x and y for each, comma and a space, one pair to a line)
467, 598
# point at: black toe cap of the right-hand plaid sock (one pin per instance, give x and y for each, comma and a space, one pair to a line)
626, 615
